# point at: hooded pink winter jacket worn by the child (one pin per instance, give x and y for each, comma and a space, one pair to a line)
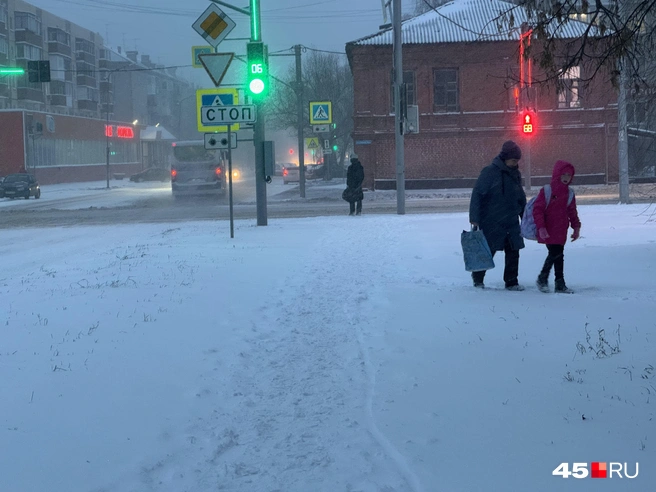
558, 216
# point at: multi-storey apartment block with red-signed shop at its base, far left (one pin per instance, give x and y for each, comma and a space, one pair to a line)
64, 129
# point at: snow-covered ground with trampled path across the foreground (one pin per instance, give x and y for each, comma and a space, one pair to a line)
323, 354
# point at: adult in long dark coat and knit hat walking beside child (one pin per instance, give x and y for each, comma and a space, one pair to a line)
497, 204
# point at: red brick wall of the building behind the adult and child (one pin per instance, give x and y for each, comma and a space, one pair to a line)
458, 145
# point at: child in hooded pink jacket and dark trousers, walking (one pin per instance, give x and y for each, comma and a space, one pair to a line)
552, 221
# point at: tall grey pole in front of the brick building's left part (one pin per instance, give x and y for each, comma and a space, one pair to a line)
398, 104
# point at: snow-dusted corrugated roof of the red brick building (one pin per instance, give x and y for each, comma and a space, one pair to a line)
467, 21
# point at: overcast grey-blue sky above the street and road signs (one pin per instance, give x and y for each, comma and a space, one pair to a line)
162, 28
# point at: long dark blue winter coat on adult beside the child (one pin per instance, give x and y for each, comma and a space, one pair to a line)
497, 203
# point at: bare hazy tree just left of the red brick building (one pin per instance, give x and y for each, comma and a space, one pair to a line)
326, 77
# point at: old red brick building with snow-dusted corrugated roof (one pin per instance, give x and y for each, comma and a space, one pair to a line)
462, 73
